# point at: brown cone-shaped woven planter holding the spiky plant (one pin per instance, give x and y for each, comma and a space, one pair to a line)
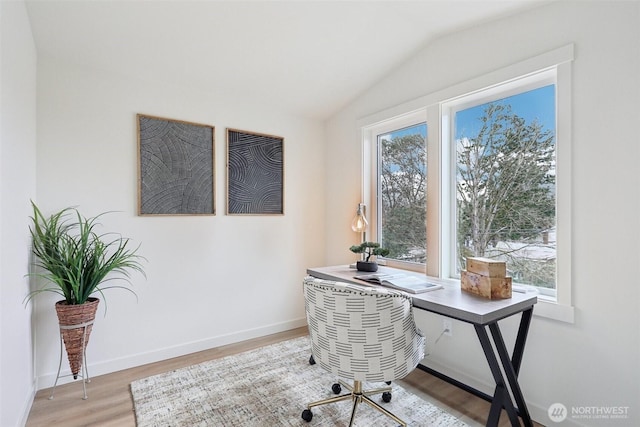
76, 338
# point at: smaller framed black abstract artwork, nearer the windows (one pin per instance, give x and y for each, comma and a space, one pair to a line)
255, 173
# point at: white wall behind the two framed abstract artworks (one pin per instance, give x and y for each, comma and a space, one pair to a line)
210, 280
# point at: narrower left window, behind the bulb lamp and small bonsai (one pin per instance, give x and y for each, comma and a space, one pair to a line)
396, 153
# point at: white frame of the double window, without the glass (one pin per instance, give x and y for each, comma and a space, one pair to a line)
432, 109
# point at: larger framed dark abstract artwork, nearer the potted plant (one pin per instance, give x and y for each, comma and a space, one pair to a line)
176, 167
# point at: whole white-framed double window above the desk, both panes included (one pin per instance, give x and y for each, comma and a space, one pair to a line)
494, 182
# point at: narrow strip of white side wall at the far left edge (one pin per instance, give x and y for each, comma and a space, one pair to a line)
17, 186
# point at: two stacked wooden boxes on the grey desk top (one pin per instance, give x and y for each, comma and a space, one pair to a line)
487, 278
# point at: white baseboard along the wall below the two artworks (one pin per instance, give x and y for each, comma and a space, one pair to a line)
114, 365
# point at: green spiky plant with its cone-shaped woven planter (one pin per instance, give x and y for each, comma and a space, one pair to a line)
75, 262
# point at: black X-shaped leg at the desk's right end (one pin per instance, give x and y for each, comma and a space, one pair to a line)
500, 361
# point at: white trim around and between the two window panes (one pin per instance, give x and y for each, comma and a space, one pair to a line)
561, 307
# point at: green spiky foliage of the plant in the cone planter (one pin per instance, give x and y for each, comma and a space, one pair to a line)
76, 259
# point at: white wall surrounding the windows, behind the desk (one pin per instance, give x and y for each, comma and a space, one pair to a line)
593, 362
